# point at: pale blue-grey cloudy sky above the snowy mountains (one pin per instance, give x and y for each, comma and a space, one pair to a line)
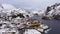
30, 4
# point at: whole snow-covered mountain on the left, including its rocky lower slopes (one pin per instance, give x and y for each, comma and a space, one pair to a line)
10, 10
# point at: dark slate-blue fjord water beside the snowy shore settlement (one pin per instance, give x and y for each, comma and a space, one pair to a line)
53, 24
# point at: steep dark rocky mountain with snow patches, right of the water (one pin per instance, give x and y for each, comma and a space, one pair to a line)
53, 12
